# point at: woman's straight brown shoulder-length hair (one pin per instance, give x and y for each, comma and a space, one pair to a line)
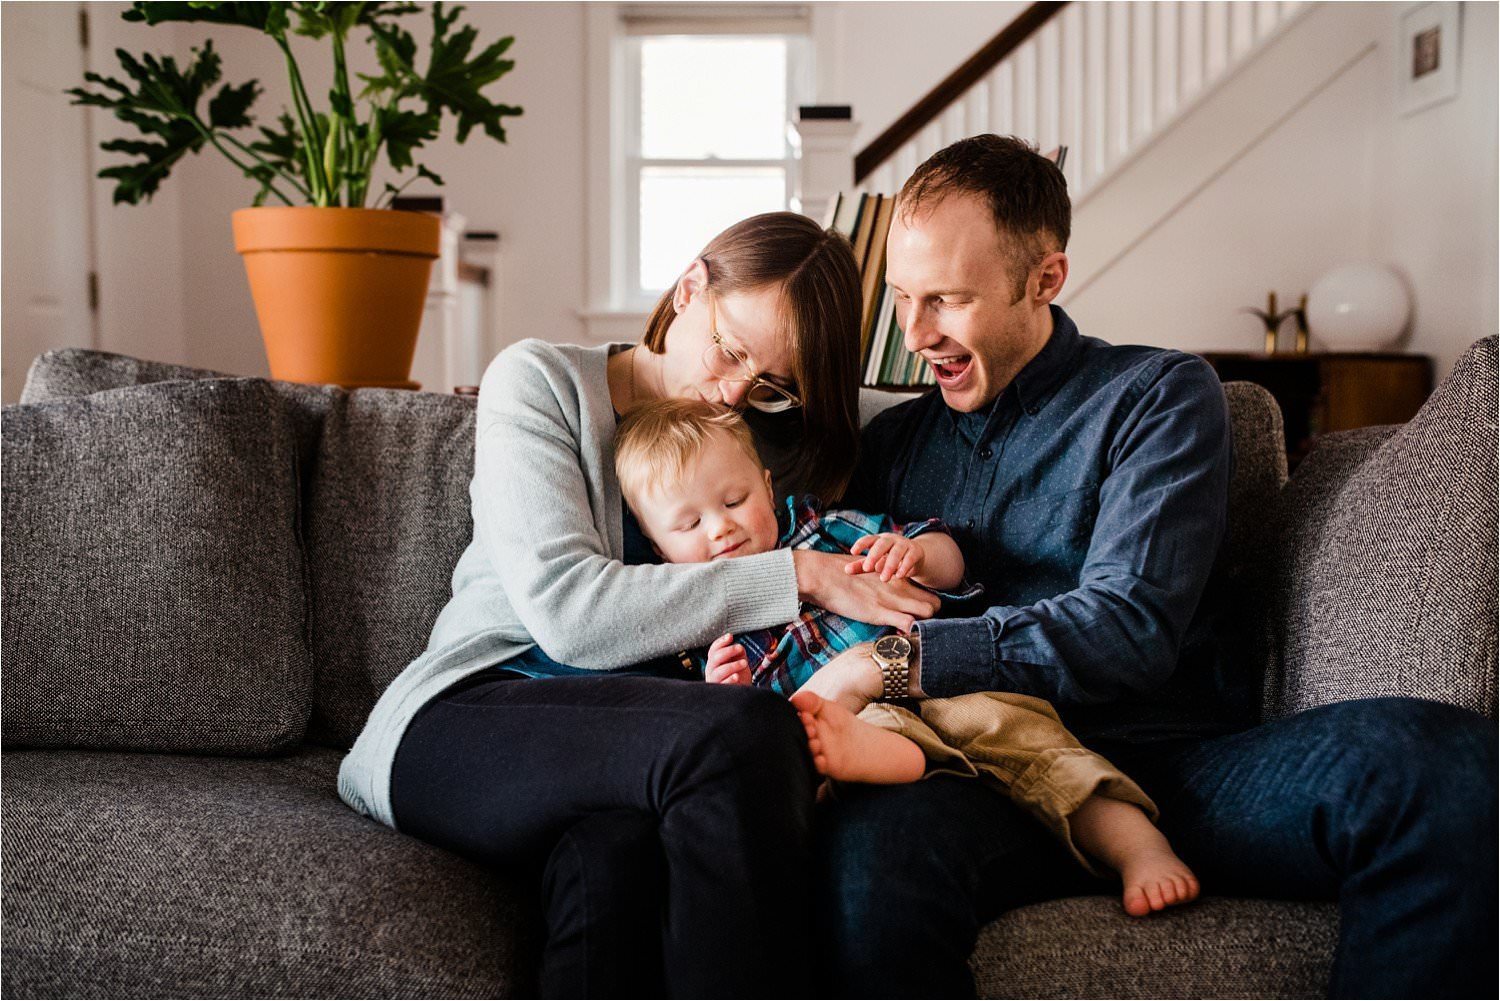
821, 308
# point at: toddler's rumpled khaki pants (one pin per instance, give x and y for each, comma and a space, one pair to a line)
1018, 742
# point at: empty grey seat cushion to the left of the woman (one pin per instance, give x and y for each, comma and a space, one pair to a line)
161, 876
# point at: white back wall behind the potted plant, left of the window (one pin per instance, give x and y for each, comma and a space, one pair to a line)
529, 190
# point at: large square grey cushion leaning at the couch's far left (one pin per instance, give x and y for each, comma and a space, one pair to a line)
152, 574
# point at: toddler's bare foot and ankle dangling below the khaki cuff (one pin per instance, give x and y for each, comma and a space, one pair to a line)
1124, 838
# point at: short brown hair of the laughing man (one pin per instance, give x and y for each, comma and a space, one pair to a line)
1027, 194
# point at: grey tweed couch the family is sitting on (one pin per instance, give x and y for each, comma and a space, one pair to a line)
208, 582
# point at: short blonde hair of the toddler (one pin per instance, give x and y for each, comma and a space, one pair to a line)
658, 442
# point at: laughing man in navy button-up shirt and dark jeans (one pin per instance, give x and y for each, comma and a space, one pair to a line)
1087, 485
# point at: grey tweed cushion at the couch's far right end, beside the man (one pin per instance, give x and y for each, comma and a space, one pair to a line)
1385, 573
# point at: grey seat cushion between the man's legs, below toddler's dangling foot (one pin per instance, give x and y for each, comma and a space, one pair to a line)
1217, 948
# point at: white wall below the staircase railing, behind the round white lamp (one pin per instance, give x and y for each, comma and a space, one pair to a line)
1337, 176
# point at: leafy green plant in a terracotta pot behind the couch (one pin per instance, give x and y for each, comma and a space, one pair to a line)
338, 287
